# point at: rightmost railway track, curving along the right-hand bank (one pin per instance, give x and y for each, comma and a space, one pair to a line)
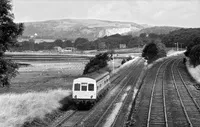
189, 106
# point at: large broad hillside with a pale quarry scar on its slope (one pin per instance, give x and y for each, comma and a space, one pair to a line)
74, 28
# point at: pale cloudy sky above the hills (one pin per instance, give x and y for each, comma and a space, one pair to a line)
182, 13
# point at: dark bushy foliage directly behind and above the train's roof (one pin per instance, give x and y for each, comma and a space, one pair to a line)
96, 63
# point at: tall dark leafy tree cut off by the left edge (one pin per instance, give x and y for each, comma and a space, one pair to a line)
9, 31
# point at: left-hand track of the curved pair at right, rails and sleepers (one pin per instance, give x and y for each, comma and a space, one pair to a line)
157, 113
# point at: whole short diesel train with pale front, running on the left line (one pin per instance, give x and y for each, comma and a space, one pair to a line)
89, 88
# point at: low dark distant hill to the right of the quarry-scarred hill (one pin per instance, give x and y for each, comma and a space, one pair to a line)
156, 30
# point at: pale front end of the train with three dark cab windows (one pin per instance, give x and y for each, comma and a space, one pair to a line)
84, 90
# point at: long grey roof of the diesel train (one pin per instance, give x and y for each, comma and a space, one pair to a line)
97, 74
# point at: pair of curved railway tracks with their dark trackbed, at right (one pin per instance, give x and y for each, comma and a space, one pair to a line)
166, 99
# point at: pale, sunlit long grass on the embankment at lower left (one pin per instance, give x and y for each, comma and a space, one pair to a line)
17, 109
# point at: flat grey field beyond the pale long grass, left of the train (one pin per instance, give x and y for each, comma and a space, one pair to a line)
43, 75
